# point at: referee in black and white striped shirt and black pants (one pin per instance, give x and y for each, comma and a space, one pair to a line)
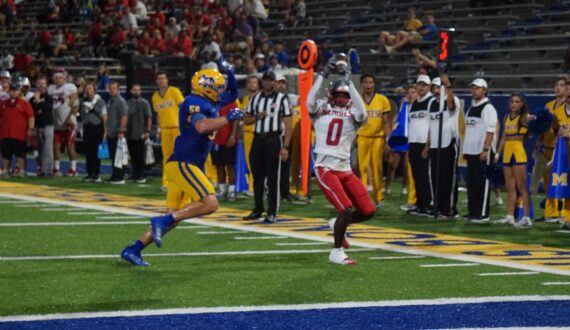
270, 113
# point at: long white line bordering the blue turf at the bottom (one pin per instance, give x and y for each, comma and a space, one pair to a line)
299, 307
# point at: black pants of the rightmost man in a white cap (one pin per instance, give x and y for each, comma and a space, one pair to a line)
478, 187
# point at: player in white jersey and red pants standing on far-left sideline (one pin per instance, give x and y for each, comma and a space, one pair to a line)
64, 116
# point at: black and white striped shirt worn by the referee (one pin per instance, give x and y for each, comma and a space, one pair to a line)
275, 106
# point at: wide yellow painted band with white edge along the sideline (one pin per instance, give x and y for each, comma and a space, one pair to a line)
519, 256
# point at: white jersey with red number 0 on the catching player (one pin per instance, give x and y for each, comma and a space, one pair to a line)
335, 132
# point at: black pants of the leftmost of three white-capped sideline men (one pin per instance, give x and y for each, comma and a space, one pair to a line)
420, 172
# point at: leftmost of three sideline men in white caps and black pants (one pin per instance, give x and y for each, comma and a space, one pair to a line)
418, 139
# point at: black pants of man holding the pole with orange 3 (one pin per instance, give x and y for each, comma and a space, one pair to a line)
445, 178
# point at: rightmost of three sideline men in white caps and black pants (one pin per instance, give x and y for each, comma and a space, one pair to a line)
479, 146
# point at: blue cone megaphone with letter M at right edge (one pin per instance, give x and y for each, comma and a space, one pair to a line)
559, 174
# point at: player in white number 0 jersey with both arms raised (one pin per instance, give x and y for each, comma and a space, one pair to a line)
336, 121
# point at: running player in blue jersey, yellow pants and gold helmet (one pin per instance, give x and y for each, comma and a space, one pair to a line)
185, 169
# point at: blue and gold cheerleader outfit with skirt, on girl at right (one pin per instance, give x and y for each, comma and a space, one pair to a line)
514, 152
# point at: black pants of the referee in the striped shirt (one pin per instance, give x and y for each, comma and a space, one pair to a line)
264, 160
